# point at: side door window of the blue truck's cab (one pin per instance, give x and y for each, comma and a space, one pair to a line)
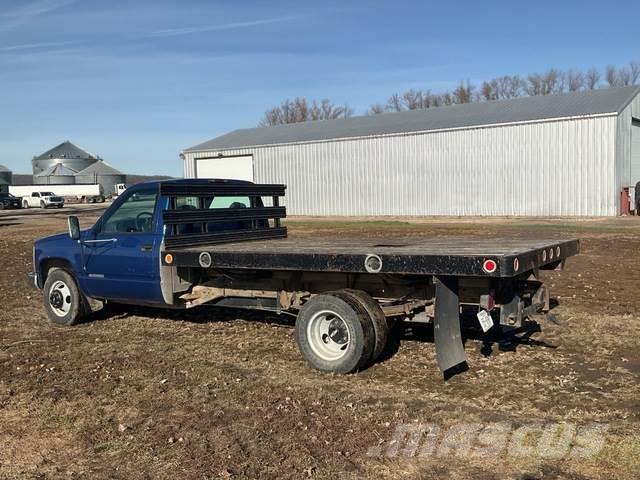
134, 215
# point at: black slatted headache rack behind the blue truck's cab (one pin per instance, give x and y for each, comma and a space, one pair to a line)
191, 225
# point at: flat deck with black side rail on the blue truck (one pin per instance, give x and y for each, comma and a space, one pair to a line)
433, 256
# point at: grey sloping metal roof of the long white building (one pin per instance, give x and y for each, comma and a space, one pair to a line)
573, 104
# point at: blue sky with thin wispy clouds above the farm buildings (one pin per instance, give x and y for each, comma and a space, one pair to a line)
136, 82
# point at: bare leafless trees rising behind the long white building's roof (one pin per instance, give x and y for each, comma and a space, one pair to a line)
505, 87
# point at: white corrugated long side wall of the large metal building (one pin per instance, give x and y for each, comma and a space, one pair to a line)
548, 168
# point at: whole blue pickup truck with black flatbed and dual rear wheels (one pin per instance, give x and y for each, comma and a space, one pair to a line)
187, 243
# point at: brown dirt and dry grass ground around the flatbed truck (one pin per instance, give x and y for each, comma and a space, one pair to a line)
141, 393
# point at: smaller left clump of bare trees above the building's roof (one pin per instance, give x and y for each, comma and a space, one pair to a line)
298, 110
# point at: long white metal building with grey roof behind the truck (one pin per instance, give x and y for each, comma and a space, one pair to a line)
569, 154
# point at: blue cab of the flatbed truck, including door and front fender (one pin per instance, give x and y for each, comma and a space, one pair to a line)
117, 259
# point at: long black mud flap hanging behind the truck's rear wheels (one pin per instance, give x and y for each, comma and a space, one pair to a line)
446, 328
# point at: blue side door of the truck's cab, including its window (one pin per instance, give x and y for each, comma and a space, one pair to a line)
121, 255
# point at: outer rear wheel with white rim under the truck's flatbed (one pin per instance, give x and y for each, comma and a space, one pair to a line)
334, 333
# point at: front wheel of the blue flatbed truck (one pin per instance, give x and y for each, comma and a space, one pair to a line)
63, 301
